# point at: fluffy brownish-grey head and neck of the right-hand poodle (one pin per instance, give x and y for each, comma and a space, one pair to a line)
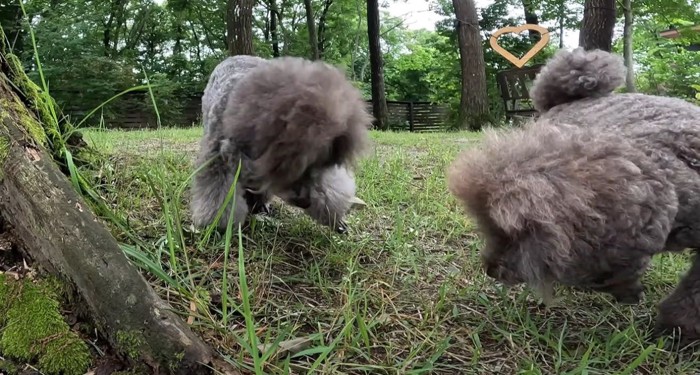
551, 198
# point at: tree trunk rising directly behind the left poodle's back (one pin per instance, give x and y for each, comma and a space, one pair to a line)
240, 27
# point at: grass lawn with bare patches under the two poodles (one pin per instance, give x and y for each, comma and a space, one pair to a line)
403, 293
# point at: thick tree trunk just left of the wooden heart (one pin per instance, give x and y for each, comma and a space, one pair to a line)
473, 106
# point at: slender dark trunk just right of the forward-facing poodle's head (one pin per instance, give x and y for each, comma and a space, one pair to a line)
379, 108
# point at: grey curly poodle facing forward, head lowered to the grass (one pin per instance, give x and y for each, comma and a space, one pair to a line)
295, 126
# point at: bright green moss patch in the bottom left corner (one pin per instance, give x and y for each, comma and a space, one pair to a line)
34, 330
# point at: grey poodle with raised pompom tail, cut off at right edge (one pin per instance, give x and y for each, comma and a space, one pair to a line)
587, 193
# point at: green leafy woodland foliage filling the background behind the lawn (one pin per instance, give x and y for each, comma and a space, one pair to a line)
92, 50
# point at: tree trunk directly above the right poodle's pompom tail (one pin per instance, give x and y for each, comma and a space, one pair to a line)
598, 25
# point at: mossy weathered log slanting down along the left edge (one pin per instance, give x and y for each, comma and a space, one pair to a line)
57, 229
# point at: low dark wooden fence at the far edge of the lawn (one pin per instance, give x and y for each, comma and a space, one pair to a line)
134, 111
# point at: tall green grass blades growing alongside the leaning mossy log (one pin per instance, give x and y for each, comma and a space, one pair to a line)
176, 275
